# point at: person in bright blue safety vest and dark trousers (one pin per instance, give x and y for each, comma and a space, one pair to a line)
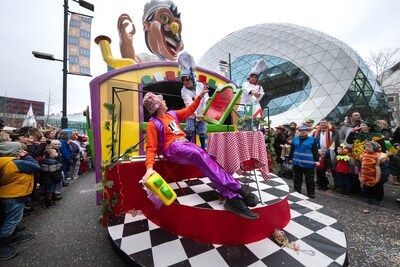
304, 156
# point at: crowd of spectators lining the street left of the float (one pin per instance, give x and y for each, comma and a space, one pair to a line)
35, 165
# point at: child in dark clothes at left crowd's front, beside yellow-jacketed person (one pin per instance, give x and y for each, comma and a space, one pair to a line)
50, 176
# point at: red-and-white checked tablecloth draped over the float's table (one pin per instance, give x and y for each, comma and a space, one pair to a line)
230, 149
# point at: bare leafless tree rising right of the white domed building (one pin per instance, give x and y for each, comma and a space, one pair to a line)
382, 60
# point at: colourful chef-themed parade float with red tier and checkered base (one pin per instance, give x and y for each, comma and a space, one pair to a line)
195, 229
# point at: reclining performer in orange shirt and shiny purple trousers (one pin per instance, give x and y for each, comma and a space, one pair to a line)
164, 136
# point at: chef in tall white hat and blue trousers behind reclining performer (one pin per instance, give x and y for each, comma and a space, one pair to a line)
190, 90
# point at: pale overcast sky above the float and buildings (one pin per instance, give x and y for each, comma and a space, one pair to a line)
27, 25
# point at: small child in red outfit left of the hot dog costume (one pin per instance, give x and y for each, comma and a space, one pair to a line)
342, 170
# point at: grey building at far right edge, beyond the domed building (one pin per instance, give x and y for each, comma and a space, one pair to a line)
391, 87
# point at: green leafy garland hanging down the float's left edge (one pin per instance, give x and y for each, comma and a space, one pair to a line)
105, 184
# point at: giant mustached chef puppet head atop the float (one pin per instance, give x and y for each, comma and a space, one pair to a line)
162, 26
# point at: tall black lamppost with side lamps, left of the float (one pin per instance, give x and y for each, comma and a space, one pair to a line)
84, 4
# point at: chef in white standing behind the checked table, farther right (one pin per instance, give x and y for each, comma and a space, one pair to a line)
252, 91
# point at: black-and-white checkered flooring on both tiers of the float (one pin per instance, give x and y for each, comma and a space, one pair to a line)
146, 244
